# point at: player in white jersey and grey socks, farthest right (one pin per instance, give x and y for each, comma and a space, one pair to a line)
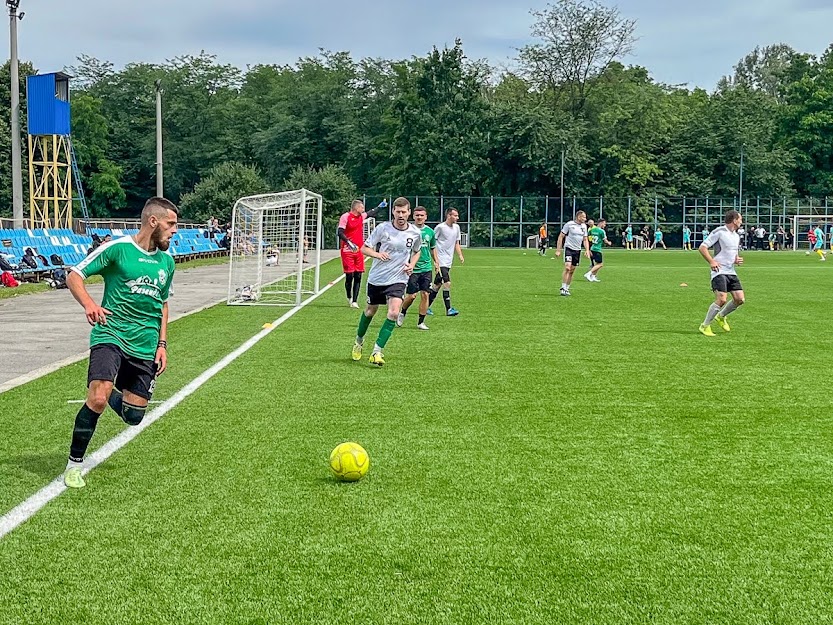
726, 242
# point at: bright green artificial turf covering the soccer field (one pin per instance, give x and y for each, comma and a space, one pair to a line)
538, 459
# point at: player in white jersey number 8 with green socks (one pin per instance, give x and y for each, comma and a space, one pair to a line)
394, 246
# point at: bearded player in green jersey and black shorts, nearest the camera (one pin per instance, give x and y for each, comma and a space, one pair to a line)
128, 342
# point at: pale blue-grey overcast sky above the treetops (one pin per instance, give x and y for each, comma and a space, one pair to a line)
680, 41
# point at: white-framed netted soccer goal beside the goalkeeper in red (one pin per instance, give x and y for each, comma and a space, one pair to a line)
275, 249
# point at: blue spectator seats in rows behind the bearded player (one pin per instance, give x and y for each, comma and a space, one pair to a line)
72, 248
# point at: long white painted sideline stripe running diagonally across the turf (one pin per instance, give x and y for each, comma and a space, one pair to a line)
26, 510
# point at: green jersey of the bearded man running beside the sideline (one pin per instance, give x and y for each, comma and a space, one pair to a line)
136, 285
